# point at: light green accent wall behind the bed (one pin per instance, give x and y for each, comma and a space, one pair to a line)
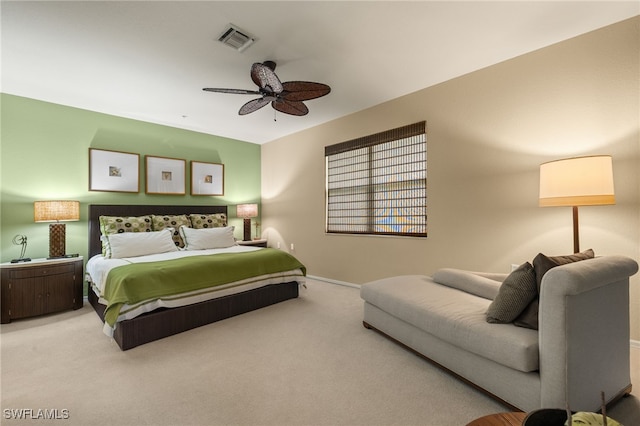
44, 155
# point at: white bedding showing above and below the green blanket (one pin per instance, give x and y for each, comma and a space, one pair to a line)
98, 268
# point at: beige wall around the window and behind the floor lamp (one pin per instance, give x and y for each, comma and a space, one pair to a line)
487, 134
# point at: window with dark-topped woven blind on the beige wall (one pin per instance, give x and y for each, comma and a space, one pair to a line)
377, 184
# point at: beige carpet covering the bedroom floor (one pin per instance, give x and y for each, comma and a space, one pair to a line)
306, 361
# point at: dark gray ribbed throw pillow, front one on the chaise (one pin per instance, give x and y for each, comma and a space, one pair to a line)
516, 292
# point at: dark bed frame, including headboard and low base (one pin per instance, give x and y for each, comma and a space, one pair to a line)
166, 322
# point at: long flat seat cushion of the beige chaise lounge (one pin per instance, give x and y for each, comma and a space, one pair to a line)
454, 316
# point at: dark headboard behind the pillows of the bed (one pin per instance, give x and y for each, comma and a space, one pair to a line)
97, 210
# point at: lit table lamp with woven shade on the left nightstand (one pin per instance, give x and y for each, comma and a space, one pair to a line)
56, 211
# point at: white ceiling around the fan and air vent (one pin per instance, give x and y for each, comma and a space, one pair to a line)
150, 60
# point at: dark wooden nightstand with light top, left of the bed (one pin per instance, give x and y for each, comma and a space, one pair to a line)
39, 287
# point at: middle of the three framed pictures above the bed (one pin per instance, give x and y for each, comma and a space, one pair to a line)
165, 175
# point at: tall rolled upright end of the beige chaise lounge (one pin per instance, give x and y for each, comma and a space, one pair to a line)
584, 332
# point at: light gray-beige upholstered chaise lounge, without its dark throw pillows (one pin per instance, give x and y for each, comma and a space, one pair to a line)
581, 346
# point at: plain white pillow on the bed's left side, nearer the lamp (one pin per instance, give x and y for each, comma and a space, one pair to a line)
132, 244
